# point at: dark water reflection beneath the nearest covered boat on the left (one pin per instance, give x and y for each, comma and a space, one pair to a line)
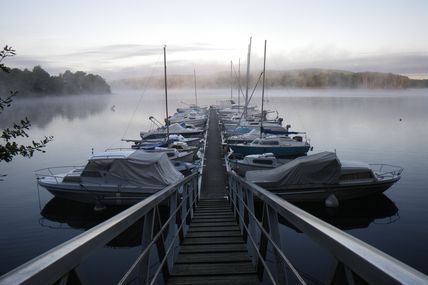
61, 214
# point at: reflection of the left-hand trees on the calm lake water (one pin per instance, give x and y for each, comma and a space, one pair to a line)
41, 111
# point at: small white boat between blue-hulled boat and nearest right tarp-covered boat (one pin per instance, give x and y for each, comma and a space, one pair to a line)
253, 162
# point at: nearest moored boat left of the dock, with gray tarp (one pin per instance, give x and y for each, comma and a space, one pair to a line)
112, 178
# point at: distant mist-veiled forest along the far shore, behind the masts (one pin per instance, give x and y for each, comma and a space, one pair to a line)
304, 78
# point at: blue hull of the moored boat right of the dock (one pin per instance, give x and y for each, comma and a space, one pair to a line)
277, 151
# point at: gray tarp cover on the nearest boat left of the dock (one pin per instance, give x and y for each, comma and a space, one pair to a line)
146, 169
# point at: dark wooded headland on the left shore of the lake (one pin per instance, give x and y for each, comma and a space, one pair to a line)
39, 82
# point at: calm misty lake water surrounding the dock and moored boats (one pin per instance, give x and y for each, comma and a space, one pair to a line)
362, 125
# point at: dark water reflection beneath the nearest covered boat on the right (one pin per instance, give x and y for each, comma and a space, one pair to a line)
354, 214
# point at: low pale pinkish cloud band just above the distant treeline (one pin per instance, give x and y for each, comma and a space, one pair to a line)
136, 60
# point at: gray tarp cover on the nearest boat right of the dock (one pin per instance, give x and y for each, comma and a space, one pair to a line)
320, 168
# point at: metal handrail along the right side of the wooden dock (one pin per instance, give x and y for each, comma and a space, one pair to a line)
358, 257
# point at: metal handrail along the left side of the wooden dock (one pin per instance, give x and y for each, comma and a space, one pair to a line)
58, 262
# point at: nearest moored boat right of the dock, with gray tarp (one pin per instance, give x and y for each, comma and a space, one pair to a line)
315, 178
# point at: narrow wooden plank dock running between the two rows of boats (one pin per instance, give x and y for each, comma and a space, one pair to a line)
213, 250
